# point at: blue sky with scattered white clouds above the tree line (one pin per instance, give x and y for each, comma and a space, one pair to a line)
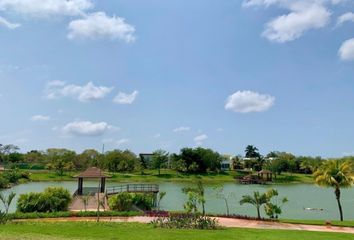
145, 75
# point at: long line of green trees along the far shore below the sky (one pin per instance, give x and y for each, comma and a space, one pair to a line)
187, 160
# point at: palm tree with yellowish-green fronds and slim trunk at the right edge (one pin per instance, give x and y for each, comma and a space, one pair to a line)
336, 174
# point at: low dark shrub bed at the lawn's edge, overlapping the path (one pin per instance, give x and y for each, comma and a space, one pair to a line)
186, 221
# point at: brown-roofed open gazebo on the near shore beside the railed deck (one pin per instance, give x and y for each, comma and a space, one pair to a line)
92, 172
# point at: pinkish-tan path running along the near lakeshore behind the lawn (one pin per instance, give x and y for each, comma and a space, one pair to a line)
225, 222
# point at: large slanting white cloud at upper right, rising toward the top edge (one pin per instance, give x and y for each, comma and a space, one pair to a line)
291, 26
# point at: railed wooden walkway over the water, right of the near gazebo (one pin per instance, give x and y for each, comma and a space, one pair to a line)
133, 188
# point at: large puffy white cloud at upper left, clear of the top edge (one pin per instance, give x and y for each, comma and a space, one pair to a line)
99, 25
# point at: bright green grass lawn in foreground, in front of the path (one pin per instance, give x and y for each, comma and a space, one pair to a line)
135, 231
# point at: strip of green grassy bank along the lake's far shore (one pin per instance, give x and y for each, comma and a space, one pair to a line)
170, 175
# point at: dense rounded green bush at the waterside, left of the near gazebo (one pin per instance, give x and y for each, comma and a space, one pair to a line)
51, 200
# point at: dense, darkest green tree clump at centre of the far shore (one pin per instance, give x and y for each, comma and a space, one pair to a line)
197, 160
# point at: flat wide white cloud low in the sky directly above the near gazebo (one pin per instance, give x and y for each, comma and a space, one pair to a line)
86, 128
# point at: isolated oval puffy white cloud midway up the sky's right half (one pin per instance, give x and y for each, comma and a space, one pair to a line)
248, 101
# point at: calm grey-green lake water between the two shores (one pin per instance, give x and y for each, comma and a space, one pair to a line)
300, 196
